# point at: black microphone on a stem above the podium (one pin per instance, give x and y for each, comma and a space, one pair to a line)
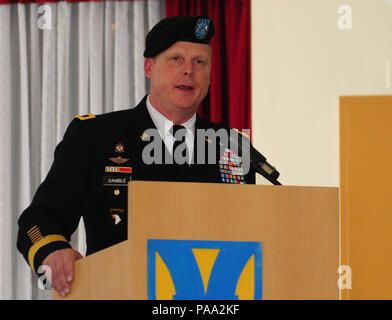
257, 161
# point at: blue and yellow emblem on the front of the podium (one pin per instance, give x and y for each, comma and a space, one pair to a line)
204, 270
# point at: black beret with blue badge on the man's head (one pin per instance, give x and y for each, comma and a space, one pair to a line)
168, 31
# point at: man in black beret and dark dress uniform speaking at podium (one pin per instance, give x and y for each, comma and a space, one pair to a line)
100, 154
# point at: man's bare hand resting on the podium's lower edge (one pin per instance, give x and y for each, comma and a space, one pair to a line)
61, 263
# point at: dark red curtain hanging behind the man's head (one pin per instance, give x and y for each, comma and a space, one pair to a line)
229, 99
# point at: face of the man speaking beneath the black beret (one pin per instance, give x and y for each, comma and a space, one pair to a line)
180, 77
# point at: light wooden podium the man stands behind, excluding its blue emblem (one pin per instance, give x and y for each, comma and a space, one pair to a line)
298, 228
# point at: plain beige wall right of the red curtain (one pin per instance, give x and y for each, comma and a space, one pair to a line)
302, 63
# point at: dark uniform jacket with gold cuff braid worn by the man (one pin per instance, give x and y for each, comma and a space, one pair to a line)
78, 186
